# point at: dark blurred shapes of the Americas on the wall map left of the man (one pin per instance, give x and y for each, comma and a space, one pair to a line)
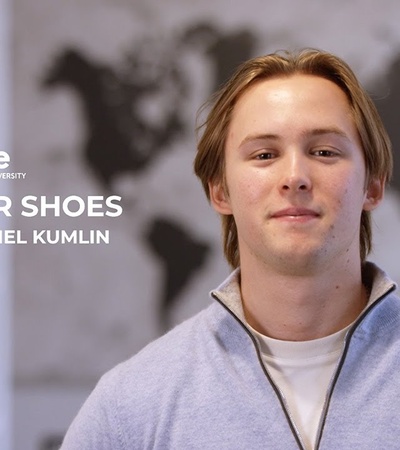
121, 139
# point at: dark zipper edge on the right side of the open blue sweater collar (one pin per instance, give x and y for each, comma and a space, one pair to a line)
335, 377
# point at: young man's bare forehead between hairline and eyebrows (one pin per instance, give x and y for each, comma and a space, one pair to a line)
305, 105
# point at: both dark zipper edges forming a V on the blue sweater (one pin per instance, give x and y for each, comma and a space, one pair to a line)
334, 379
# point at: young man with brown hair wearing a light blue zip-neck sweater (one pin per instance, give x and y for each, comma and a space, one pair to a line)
301, 347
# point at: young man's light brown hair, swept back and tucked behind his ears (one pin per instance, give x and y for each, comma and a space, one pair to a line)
210, 159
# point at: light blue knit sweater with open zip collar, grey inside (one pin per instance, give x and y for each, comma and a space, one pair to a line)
203, 386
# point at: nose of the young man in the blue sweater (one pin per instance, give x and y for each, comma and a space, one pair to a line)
296, 174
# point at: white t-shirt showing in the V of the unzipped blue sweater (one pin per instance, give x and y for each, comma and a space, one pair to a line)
302, 371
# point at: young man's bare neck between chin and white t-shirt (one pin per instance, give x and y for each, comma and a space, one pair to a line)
300, 308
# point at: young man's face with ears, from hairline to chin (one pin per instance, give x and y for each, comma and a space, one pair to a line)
295, 175
